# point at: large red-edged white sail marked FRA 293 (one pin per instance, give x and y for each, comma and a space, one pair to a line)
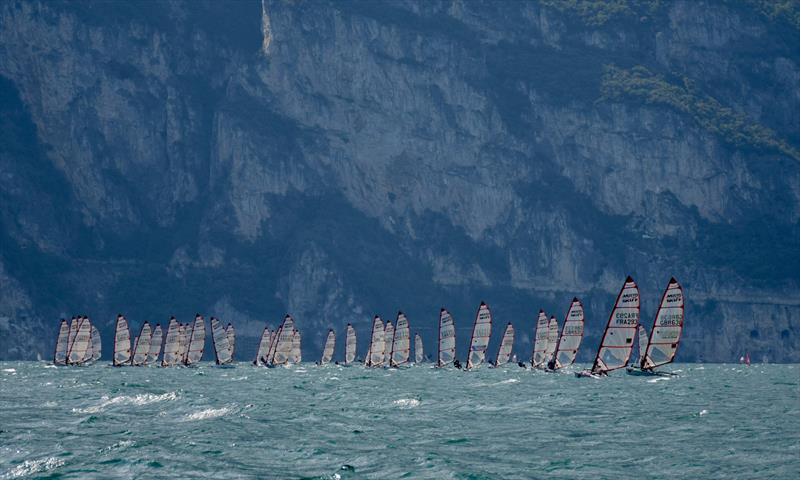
617, 343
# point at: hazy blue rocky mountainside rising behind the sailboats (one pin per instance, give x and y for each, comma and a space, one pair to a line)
340, 159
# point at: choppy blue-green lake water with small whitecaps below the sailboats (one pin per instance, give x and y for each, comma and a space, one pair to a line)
718, 421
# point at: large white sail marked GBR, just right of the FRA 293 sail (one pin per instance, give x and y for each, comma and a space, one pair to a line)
667, 327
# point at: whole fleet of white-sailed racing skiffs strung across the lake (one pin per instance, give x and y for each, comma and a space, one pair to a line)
390, 345
